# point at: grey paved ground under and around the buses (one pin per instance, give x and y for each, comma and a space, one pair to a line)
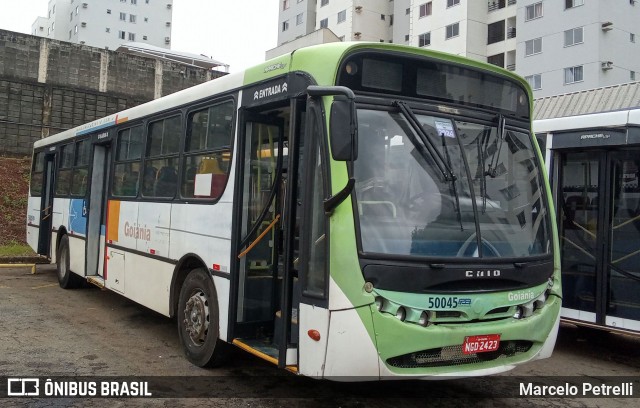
47, 331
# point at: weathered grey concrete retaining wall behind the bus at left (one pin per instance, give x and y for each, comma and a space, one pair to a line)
47, 86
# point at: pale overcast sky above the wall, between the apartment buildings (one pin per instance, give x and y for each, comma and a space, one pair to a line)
236, 32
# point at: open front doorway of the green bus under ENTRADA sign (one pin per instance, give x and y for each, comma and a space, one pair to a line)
259, 249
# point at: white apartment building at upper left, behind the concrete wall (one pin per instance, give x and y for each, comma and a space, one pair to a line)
107, 23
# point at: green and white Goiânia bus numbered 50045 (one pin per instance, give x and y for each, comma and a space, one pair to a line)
350, 210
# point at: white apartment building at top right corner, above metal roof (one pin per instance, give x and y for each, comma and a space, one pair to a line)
573, 45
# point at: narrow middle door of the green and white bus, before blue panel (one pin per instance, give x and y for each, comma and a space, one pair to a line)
96, 210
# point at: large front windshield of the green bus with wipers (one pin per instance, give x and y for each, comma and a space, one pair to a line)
487, 203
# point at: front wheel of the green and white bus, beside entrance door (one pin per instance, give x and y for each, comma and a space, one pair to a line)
198, 323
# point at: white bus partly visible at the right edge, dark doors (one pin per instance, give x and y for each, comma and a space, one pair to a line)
594, 162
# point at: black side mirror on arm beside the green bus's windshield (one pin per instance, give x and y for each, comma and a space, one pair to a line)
343, 129
